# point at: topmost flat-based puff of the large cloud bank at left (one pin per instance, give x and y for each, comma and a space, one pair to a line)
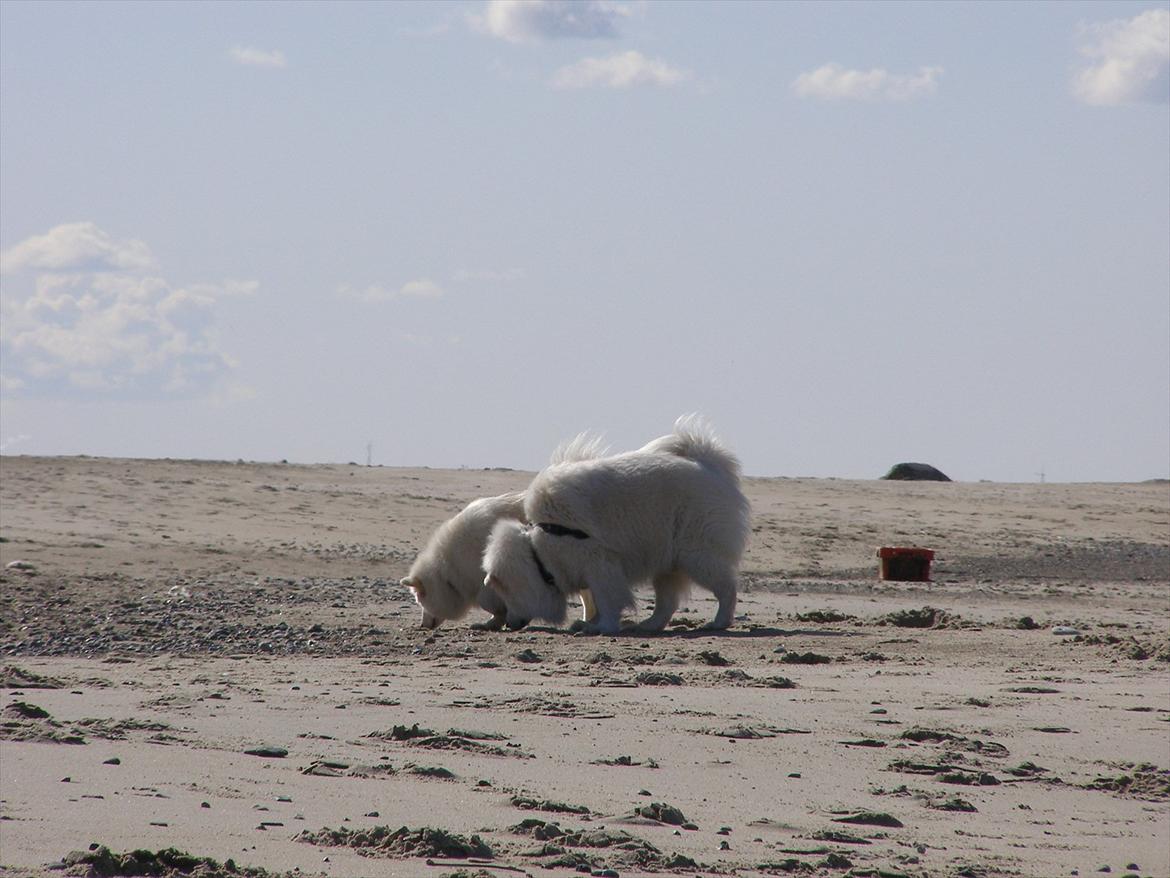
77, 248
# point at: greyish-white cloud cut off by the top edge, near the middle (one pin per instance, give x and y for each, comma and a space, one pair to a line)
533, 20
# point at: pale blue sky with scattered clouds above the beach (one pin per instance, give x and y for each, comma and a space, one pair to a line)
458, 234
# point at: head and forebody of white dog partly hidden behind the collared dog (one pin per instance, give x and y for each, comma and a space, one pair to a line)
448, 577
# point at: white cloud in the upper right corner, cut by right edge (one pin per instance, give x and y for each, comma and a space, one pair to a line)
1132, 61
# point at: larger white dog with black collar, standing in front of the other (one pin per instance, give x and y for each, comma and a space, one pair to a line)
671, 513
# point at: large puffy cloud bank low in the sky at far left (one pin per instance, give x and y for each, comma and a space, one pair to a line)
82, 312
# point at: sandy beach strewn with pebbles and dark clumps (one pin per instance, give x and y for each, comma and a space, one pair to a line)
218, 658
